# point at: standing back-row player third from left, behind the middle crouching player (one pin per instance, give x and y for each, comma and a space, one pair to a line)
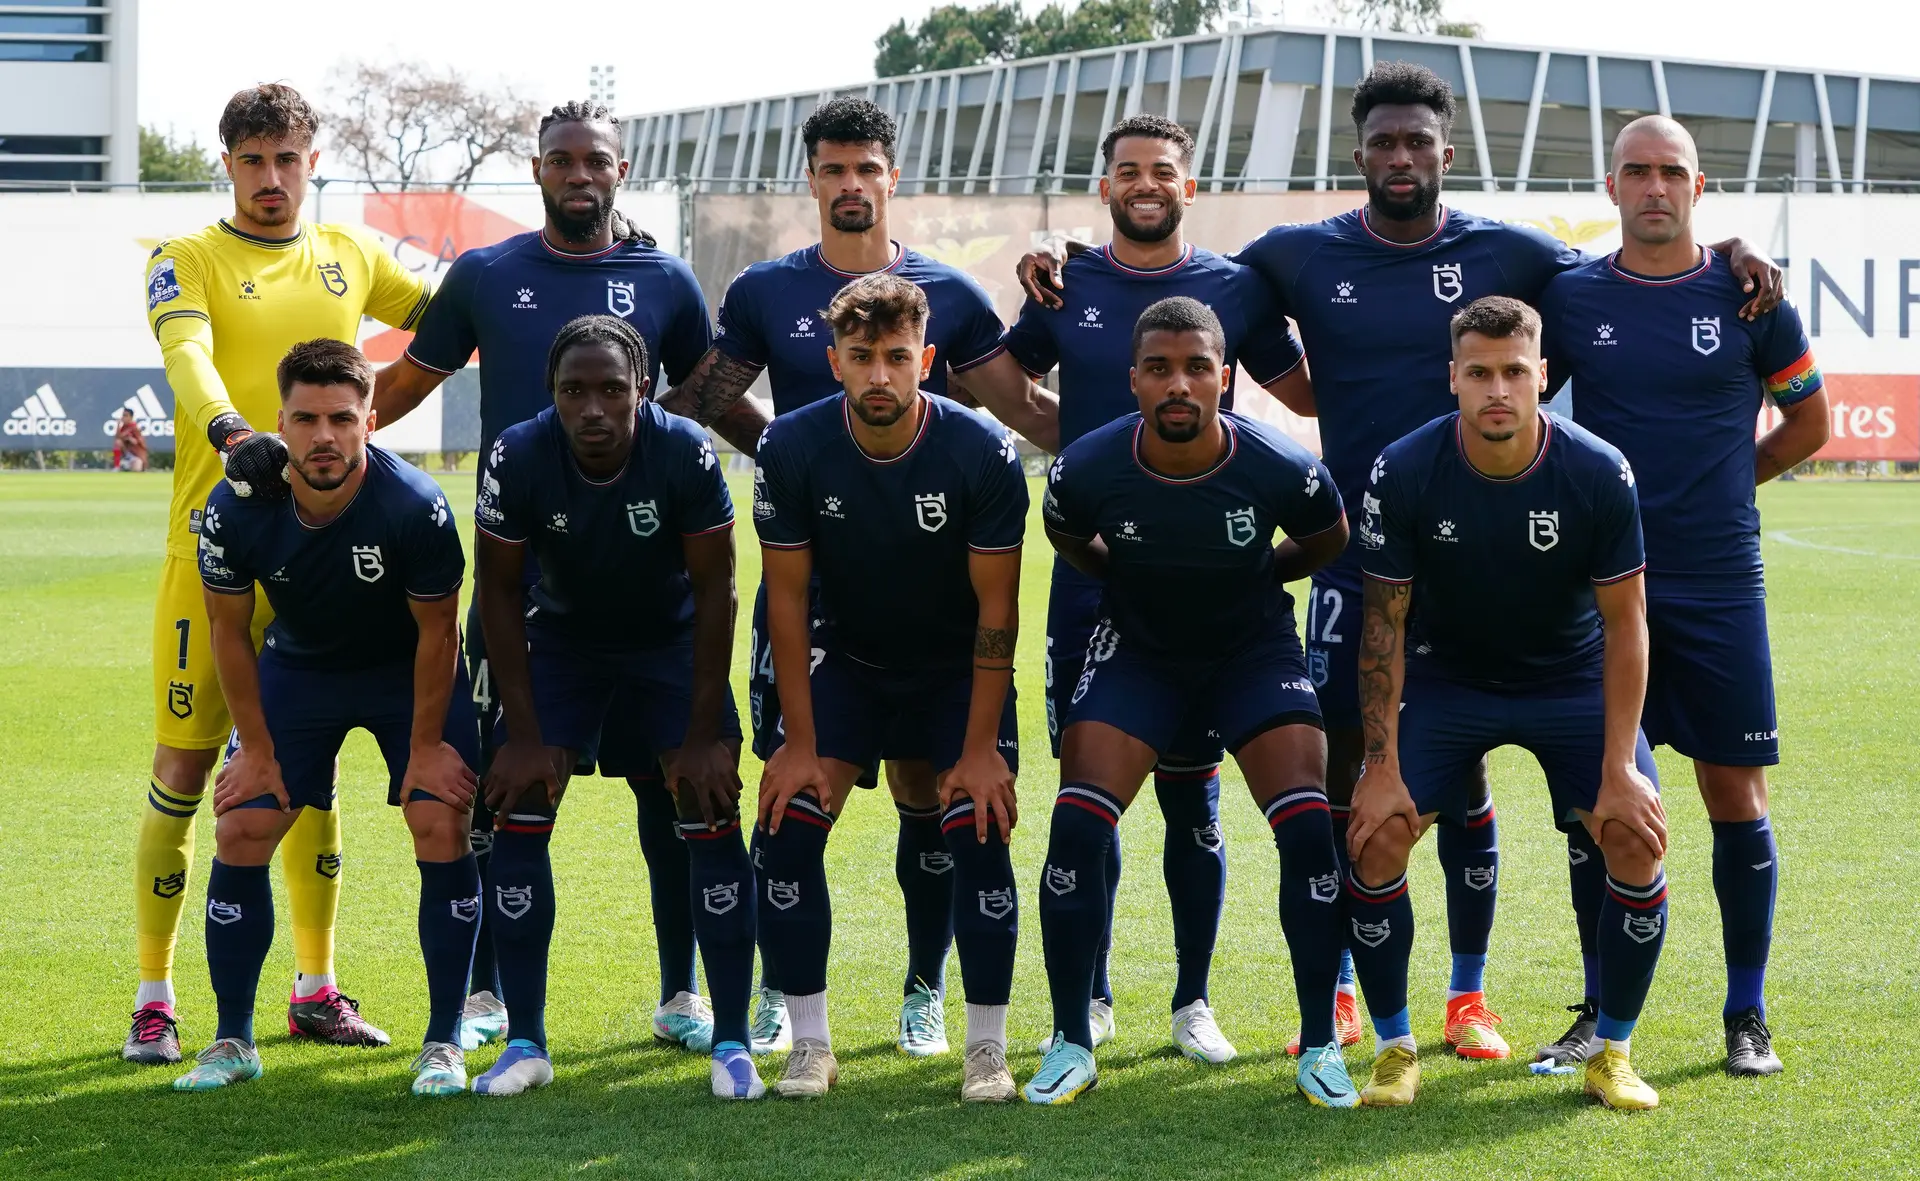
773, 322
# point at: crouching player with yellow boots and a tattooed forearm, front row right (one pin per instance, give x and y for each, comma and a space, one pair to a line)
1516, 541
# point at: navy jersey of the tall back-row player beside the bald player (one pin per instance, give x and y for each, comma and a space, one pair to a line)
1374, 316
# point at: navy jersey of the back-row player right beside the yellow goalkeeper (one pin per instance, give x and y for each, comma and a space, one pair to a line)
510, 301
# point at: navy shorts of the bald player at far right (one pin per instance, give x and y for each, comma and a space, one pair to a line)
1712, 675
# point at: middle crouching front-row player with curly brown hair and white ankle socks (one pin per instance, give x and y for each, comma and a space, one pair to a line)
913, 498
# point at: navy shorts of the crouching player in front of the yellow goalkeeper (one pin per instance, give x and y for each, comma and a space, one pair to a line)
310, 713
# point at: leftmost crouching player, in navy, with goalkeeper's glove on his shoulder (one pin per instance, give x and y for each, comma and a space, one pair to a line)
364, 571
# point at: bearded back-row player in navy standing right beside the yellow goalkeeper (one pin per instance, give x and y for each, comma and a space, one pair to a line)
510, 301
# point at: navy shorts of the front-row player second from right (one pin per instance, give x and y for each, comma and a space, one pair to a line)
1232, 702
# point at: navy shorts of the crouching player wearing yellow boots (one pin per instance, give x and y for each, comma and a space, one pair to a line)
1449, 729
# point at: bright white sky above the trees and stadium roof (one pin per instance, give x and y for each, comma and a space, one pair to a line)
673, 55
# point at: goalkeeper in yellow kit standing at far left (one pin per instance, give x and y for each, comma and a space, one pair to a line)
226, 306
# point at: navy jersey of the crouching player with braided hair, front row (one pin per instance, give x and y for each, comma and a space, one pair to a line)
613, 571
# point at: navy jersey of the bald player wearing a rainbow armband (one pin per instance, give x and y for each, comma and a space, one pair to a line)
1669, 374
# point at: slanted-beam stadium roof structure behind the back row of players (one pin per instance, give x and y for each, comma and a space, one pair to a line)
1268, 108
